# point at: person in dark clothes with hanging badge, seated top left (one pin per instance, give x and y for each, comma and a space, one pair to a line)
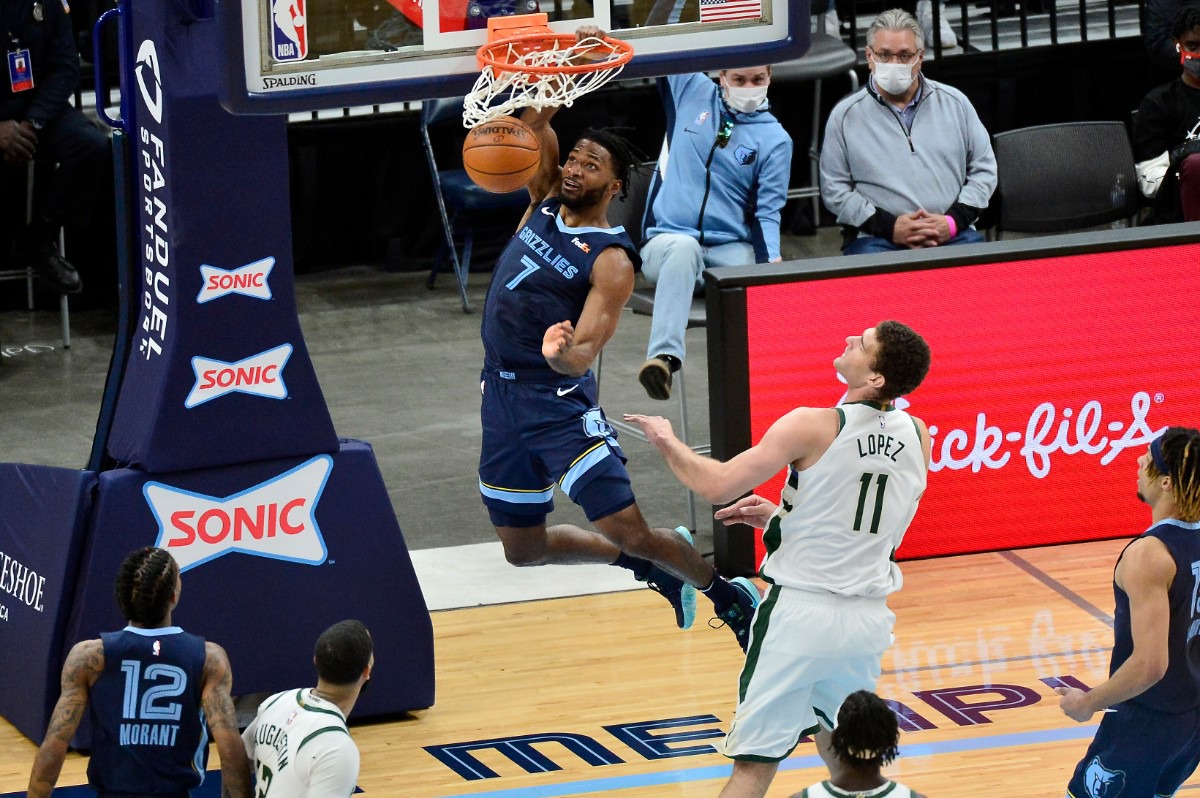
38, 122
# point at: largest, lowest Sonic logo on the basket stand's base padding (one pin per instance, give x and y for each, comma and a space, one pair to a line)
275, 519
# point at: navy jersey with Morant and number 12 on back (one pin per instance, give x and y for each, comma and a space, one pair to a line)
148, 725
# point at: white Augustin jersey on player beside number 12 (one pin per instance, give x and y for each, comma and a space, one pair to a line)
299, 748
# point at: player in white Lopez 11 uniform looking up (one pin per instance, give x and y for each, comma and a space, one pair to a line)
855, 476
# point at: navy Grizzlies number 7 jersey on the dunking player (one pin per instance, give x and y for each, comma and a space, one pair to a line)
543, 278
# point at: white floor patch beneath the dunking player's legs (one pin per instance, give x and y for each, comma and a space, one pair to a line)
478, 575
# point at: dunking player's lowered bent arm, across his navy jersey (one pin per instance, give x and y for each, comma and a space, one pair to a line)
572, 350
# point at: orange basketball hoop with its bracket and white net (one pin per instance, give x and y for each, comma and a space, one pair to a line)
526, 64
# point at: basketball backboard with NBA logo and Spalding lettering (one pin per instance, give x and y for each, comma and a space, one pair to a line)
290, 56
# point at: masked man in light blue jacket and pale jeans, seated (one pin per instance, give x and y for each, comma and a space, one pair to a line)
723, 193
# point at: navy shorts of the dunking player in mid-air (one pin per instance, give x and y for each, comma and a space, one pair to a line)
538, 435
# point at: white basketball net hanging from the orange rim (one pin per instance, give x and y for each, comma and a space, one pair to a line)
488, 101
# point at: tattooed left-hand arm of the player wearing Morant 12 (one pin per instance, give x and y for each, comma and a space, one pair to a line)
85, 665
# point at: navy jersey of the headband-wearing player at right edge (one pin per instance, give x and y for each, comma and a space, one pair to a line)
1179, 691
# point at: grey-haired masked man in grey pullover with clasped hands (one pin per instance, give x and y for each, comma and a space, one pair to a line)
907, 163
